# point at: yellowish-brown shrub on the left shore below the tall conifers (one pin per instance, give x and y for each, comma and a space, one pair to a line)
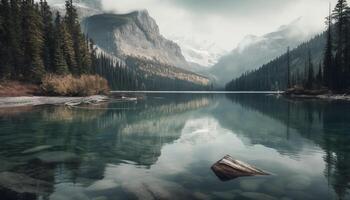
69, 85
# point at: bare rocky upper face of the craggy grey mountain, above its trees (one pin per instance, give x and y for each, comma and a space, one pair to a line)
134, 34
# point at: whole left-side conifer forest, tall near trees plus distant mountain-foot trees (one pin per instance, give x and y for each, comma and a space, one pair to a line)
36, 41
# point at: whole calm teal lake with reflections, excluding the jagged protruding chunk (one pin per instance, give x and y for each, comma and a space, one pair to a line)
163, 147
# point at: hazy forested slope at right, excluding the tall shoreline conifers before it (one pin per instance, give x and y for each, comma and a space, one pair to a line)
272, 76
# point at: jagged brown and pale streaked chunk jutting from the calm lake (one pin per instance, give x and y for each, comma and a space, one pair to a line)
227, 169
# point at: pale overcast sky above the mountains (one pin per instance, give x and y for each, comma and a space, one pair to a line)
225, 22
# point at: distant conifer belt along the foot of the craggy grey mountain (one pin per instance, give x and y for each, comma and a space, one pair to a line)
131, 74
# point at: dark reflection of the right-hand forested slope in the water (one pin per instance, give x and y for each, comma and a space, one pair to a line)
326, 124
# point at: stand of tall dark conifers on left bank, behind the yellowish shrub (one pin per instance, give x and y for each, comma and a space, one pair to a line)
34, 41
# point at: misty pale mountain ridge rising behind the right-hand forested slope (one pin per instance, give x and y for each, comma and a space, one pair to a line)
253, 51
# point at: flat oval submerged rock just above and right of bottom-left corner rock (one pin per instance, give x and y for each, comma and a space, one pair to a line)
58, 157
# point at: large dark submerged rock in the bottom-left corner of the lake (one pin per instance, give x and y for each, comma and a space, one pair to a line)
21, 183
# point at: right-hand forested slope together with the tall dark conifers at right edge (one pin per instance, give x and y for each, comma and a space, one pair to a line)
329, 70
